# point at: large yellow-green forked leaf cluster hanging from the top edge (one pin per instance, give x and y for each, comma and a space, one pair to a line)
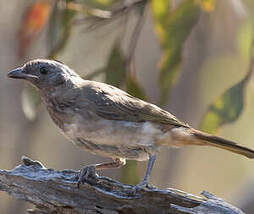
172, 28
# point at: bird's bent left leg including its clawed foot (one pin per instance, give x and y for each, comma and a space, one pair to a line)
90, 171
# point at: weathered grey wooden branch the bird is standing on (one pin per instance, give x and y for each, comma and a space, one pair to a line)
54, 191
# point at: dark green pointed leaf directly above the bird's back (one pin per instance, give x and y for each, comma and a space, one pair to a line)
115, 69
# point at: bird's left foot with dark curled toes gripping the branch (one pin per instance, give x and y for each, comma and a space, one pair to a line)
87, 174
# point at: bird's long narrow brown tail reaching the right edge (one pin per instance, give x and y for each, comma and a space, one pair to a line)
224, 144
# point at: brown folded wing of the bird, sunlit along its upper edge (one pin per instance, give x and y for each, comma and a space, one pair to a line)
114, 104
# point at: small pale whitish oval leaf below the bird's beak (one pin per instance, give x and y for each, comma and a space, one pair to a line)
30, 101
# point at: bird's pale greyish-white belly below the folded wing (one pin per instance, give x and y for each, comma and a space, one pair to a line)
115, 139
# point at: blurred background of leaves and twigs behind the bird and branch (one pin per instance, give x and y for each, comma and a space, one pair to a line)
194, 58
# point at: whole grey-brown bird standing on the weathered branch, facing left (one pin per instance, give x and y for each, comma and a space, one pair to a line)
109, 122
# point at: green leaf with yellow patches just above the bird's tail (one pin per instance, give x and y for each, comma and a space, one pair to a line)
226, 108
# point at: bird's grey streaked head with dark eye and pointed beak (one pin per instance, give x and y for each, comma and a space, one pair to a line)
44, 74
